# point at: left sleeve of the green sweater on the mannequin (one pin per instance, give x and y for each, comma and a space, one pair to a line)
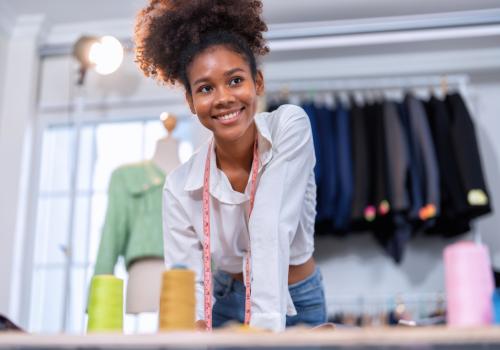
115, 231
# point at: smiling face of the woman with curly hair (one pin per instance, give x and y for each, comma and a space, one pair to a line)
223, 93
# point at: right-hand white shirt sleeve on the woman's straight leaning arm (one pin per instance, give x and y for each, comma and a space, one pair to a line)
274, 221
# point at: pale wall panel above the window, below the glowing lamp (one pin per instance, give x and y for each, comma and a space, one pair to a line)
123, 94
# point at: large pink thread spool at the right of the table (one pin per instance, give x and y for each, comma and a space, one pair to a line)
469, 285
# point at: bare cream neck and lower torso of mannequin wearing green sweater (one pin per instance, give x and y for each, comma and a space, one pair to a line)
144, 275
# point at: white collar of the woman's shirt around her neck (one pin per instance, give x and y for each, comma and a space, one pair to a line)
195, 178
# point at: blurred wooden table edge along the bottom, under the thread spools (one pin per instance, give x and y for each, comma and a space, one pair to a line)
374, 338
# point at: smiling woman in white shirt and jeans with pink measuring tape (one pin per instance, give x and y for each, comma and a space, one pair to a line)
244, 204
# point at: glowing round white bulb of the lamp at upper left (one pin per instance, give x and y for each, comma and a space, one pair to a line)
106, 54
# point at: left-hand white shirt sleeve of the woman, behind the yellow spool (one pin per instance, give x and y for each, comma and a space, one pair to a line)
182, 245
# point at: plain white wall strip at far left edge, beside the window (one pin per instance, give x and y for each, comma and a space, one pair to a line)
16, 124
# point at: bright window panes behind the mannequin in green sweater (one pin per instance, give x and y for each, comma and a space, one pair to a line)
76, 164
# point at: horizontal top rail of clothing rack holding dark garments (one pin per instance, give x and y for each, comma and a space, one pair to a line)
459, 81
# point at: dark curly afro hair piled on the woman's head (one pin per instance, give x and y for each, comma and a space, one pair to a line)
169, 34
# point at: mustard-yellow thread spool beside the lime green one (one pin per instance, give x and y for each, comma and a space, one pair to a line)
177, 300
